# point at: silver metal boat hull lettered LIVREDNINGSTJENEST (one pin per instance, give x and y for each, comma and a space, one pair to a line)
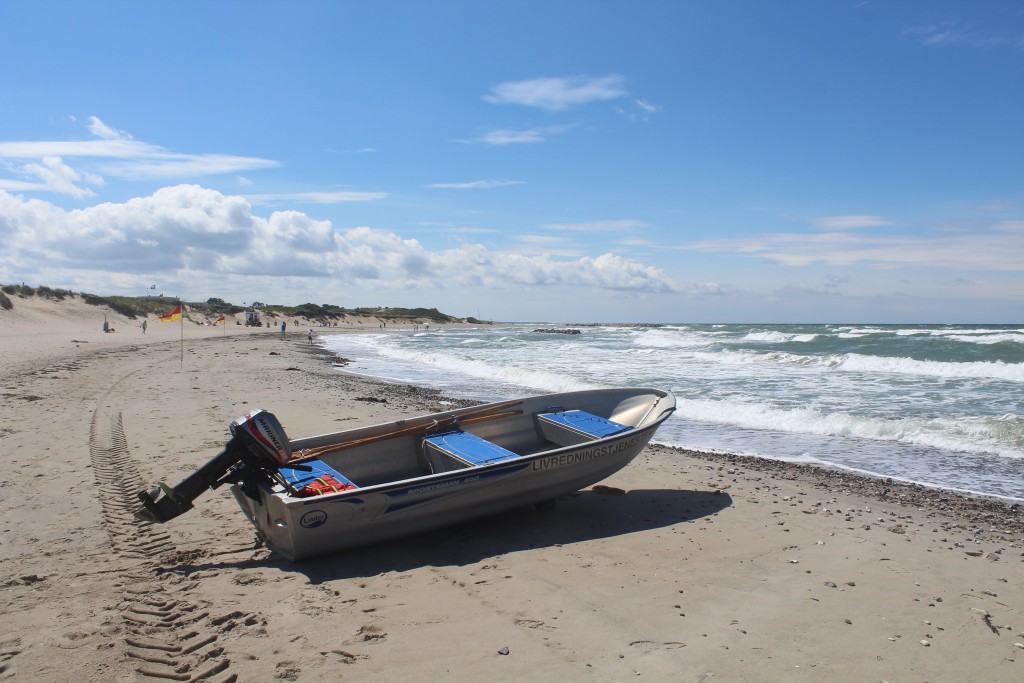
301, 529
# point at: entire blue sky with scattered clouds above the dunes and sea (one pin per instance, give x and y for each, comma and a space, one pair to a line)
573, 161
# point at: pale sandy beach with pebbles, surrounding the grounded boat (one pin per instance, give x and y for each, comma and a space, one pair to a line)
685, 567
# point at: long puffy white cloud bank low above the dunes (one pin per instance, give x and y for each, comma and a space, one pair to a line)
188, 234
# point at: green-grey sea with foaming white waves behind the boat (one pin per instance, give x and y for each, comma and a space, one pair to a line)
941, 406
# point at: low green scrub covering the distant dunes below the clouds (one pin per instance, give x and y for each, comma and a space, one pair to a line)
134, 308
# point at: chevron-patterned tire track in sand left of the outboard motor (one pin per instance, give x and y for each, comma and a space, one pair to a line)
170, 638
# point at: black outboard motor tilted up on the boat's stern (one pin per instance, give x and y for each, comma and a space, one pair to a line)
259, 447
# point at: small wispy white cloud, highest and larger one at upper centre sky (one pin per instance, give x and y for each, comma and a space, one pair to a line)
559, 94
